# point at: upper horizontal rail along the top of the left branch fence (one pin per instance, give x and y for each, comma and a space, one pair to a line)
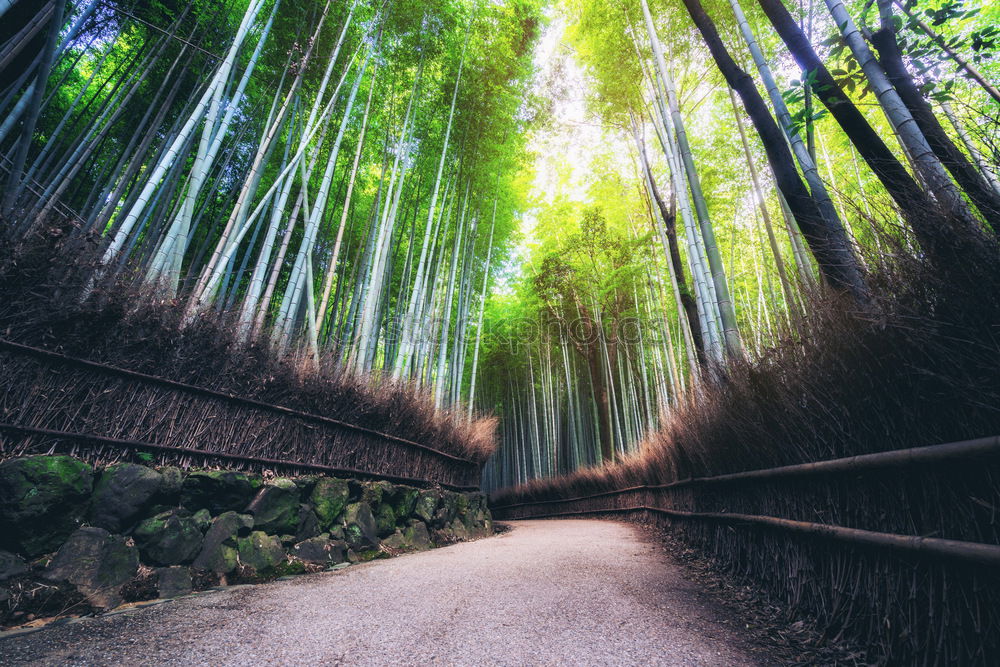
211, 393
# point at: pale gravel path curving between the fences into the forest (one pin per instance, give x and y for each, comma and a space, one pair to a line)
546, 593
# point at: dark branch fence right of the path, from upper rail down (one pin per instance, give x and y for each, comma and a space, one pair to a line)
898, 551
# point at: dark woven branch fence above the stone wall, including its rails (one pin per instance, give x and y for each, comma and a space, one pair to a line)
51, 402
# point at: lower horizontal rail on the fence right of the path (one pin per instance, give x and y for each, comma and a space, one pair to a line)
968, 552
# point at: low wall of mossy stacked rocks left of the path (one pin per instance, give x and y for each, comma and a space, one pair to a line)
76, 539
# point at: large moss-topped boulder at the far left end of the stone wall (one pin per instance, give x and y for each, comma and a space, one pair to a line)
42, 501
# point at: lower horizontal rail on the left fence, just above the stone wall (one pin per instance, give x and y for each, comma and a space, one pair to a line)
137, 444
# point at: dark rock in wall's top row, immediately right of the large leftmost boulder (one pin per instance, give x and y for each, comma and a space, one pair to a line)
122, 493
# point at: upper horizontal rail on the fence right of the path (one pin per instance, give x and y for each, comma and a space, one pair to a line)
897, 458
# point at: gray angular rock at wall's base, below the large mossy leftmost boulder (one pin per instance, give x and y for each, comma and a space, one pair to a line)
97, 563
